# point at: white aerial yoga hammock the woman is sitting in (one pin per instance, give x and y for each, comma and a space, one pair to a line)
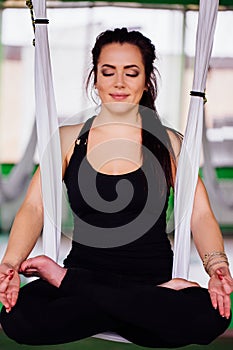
49, 143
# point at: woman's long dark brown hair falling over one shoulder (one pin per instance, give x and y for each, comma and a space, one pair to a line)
154, 134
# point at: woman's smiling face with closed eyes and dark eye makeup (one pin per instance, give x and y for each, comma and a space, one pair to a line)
120, 76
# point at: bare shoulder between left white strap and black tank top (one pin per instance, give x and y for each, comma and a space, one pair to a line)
68, 136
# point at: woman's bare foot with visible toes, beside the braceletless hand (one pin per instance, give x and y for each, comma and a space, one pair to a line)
45, 268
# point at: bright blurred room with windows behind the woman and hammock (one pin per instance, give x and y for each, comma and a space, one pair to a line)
73, 27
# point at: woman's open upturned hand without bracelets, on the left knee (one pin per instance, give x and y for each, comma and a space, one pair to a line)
9, 286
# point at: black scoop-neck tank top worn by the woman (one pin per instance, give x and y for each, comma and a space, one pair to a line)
119, 220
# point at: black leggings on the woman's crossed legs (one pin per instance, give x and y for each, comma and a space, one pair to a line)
87, 303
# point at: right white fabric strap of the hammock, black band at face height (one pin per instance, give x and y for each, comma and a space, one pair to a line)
187, 172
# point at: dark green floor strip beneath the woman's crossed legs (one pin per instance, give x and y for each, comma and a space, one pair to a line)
222, 343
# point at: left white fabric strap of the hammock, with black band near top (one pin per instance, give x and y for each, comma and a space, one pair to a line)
48, 137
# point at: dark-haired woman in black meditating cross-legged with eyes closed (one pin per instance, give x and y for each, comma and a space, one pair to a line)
118, 169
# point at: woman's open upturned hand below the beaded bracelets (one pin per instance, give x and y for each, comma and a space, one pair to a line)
220, 287
